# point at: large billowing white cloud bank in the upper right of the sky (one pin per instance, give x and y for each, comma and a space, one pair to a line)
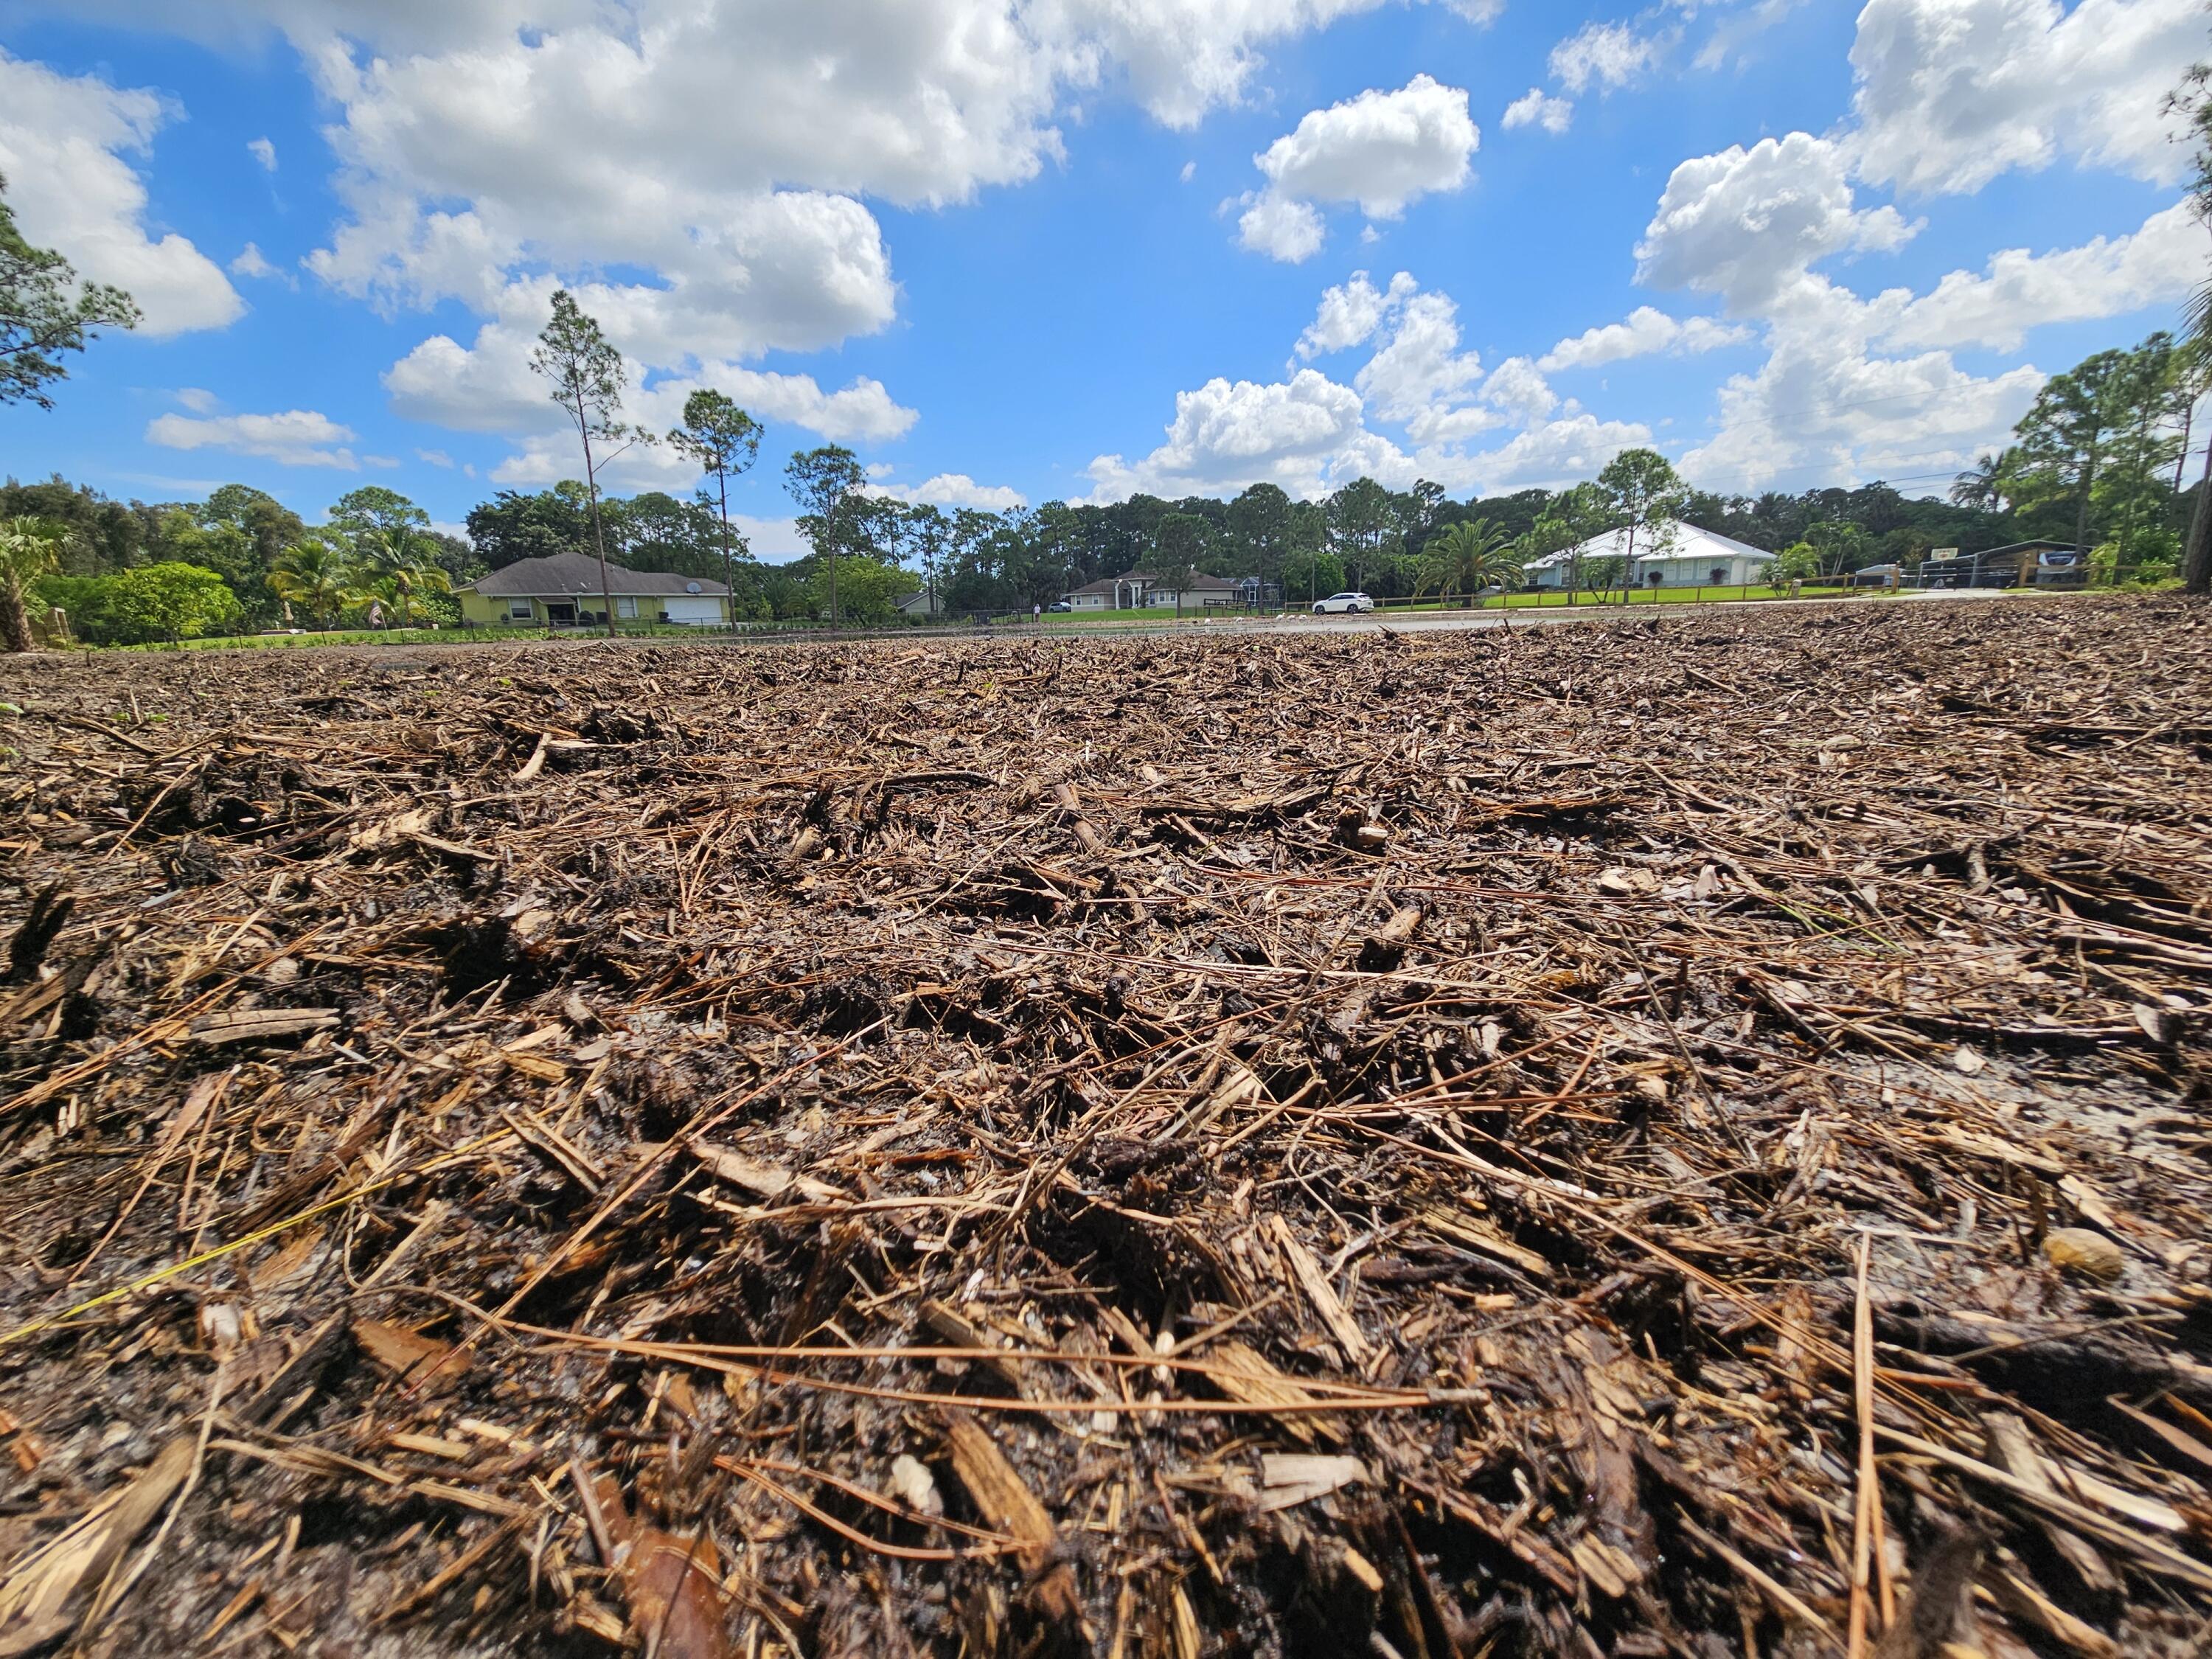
1952, 94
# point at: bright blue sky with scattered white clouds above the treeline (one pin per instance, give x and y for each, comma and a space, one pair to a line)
1016, 251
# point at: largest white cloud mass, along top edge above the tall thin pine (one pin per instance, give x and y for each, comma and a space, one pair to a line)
727, 129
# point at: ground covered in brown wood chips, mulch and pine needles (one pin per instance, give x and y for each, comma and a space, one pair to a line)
1653, 1138
